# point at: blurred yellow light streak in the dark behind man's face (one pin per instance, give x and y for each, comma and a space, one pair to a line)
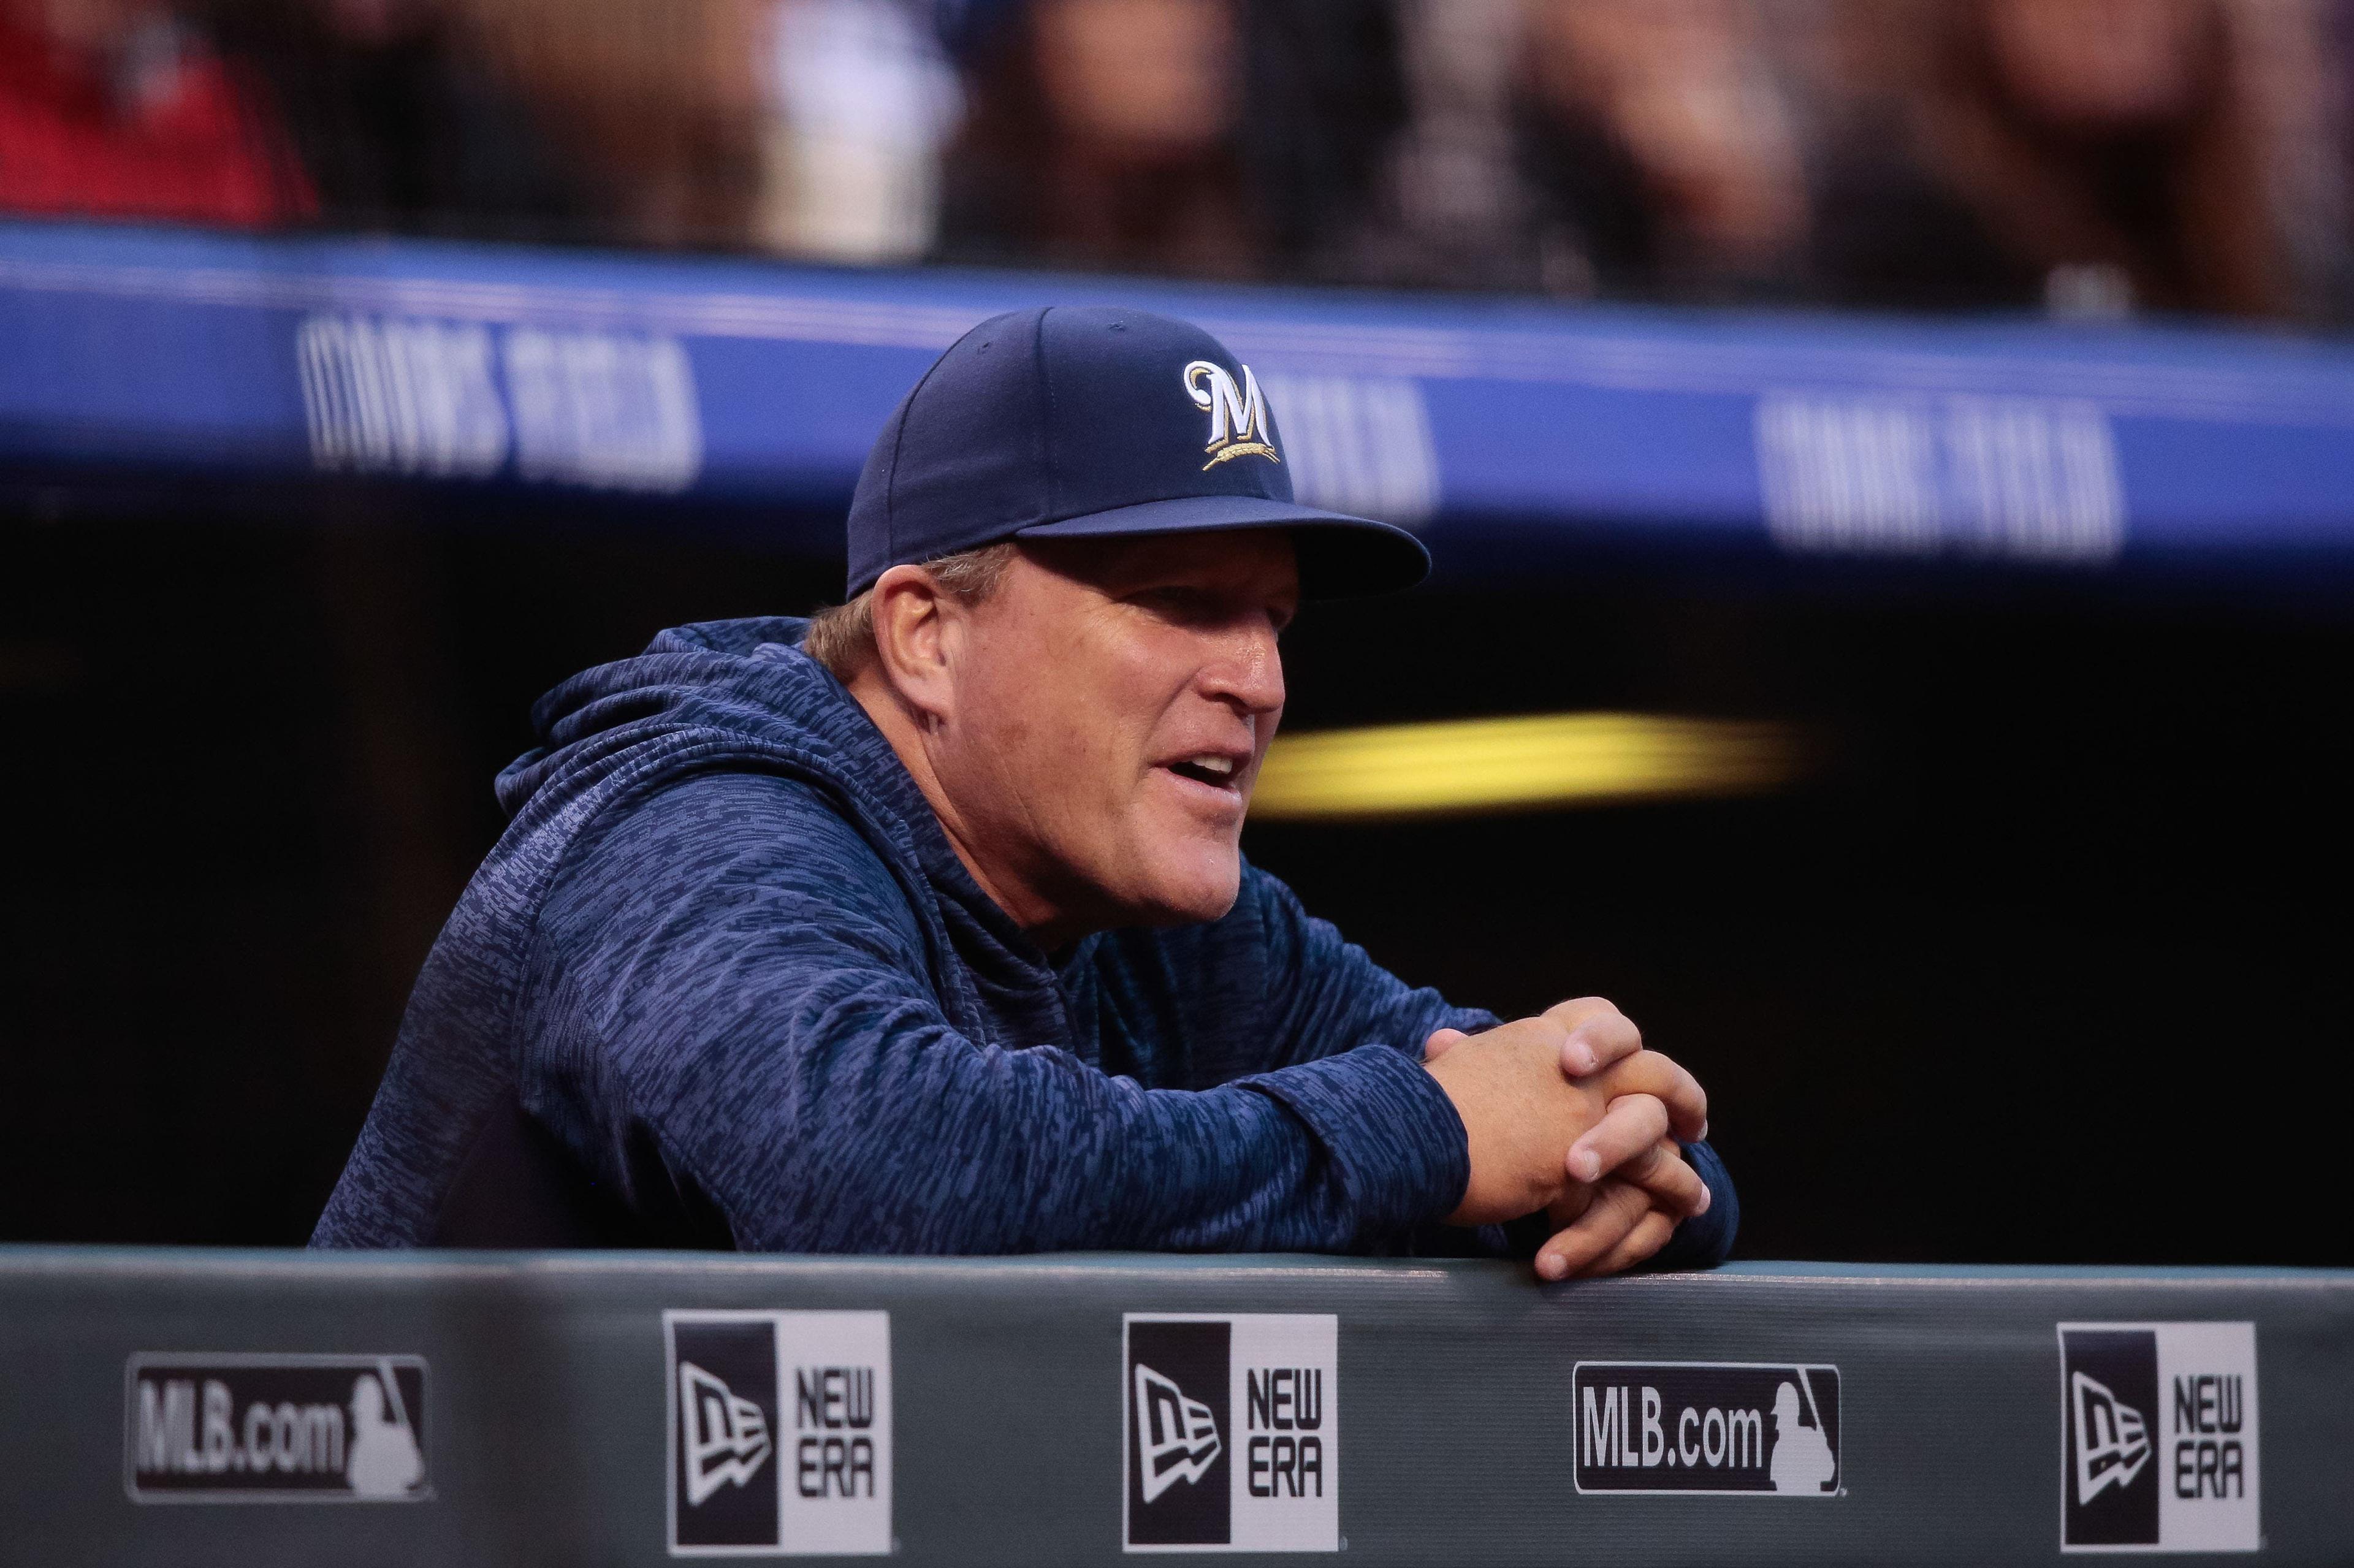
1498, 764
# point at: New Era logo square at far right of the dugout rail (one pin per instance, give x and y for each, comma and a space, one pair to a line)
2157, 1437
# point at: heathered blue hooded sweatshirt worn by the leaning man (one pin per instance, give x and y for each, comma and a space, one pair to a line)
731, 964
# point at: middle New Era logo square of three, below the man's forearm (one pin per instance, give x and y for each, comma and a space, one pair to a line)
1232, 1433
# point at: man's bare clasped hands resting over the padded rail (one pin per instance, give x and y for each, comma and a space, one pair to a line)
1569, 1115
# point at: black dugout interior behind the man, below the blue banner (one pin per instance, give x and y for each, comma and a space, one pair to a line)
2044, 959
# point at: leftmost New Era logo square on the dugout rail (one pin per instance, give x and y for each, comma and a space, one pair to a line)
780, 1433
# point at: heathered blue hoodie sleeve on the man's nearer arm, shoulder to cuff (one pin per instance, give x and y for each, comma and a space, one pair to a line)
733, 974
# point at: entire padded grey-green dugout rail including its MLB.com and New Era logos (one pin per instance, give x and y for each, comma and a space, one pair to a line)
182, 1407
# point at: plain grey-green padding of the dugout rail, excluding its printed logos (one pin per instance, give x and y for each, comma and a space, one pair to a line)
545, 1407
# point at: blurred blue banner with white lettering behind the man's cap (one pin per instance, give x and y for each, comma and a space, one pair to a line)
1515, 434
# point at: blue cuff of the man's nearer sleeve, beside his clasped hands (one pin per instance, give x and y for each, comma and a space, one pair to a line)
1390, 1131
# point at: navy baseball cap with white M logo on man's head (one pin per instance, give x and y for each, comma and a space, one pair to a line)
1079, 423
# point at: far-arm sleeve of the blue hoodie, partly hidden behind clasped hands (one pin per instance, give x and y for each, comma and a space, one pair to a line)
1334, 997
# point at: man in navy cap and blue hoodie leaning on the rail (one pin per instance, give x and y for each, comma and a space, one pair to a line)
924, 926
